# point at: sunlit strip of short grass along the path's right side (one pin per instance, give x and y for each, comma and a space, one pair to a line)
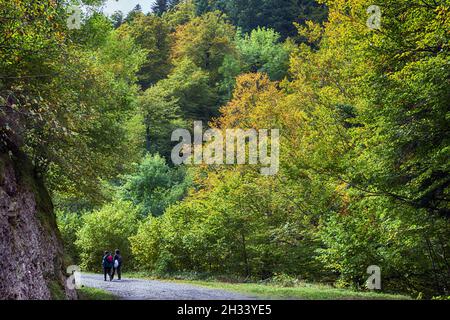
303, 291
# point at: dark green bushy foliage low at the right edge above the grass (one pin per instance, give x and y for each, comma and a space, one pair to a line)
408, 245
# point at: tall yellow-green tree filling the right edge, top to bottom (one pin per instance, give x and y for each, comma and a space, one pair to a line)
362, 128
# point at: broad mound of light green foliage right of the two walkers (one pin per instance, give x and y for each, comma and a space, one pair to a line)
237, 227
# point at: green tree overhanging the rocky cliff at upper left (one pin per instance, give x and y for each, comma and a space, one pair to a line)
67, 110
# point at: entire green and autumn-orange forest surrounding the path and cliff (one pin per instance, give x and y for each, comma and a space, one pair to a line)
363, 114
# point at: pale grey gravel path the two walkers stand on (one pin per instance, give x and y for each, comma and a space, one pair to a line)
139, 289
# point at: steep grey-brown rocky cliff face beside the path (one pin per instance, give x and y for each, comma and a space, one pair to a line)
31, 255
